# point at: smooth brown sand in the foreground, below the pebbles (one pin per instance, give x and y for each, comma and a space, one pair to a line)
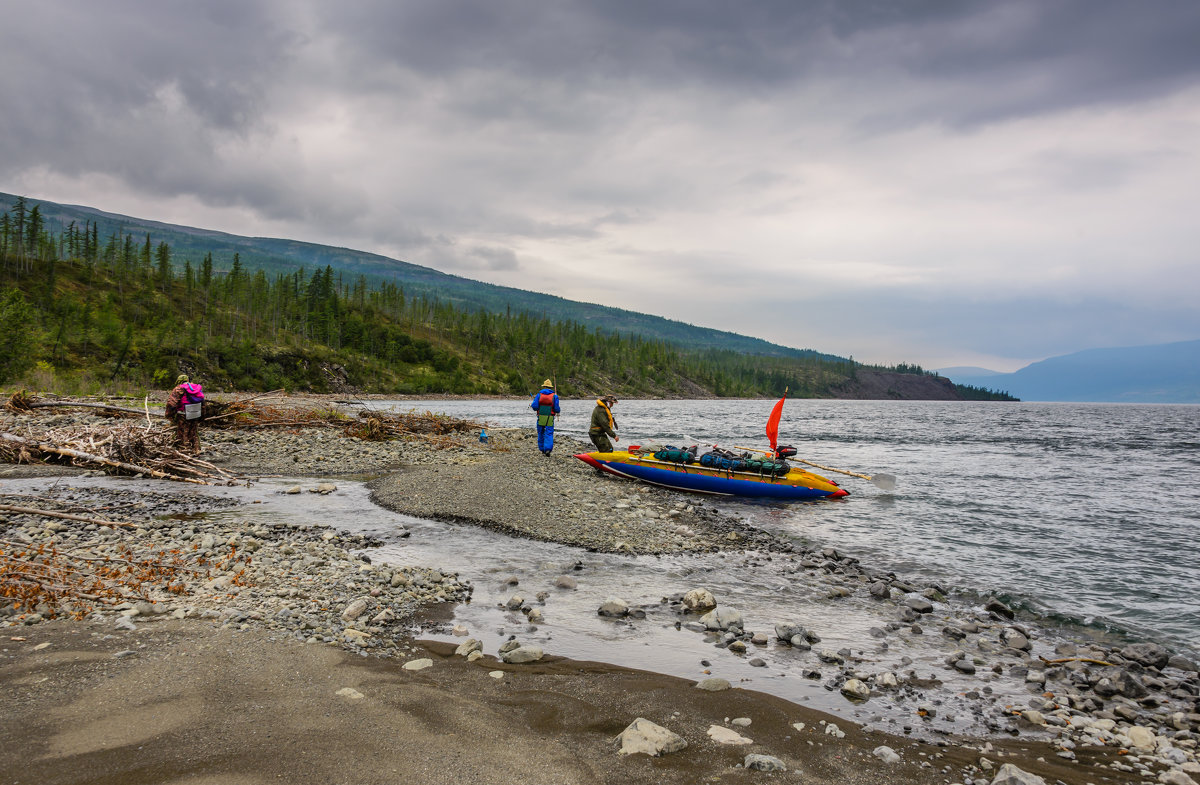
181, 702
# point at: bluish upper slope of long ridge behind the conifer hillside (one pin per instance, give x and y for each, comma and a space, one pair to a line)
283, 256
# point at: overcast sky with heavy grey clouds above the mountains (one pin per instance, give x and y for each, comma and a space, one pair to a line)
921, 182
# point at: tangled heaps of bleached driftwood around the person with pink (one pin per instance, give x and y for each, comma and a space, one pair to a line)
141, 442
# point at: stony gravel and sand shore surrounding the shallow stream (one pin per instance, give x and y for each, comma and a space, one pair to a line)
261, 654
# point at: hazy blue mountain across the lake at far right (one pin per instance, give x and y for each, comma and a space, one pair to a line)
1157, 374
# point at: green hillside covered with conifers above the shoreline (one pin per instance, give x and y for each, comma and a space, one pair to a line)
86, 313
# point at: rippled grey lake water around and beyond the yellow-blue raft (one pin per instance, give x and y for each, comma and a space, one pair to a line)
1087, 513
